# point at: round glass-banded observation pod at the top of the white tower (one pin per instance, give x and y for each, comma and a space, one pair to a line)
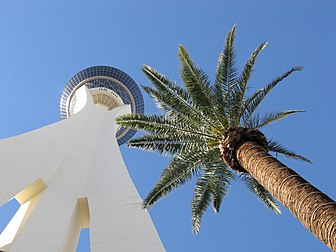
109, 87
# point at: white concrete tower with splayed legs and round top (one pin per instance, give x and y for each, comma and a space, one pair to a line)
70, 175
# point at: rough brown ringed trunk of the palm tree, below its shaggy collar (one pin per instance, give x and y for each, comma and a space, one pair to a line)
314, 209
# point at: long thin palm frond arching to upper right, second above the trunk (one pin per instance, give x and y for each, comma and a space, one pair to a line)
254, 100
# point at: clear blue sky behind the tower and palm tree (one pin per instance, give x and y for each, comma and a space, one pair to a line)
44, 43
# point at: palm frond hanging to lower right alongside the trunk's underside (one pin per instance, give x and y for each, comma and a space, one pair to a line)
260, 192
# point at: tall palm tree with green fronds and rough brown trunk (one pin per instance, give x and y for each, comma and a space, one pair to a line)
211, 131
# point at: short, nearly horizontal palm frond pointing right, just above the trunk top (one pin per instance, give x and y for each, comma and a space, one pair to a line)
259, 122
